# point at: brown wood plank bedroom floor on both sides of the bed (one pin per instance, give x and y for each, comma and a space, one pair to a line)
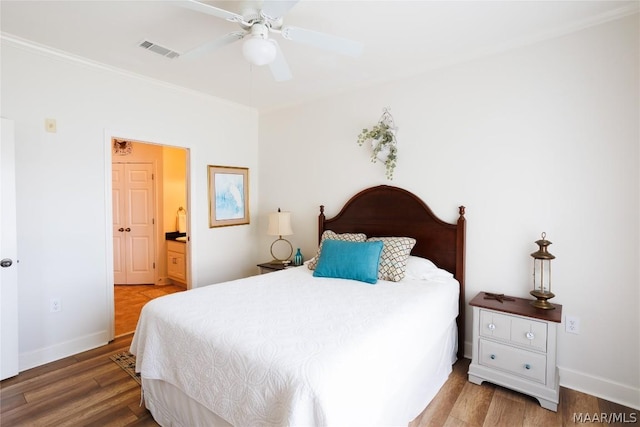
88, 389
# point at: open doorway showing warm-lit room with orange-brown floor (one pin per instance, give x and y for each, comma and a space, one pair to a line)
150, 226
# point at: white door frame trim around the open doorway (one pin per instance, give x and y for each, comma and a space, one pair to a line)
109, 134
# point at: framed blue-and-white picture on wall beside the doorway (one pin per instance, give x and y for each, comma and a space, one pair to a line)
228, 196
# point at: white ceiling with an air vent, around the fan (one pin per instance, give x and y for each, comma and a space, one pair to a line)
401, 38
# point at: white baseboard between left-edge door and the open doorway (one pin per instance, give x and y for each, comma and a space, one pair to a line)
55, 352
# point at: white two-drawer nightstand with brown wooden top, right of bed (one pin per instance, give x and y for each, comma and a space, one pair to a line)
514, 345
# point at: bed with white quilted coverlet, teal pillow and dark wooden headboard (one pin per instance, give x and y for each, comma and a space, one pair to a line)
297, 348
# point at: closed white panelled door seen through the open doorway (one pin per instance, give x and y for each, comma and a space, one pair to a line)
133, 223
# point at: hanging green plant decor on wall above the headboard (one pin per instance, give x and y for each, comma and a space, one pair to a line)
382, 138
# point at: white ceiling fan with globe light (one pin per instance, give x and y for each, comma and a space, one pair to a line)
257, 24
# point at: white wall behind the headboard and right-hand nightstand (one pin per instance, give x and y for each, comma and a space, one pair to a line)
540, 138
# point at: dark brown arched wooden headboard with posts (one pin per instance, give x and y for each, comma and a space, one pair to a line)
386, 211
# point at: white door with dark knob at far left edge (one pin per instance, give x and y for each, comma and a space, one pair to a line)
8, 255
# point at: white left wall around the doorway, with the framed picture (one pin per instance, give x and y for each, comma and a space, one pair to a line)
63, 196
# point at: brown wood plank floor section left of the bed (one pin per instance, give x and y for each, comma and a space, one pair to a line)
87, 389
